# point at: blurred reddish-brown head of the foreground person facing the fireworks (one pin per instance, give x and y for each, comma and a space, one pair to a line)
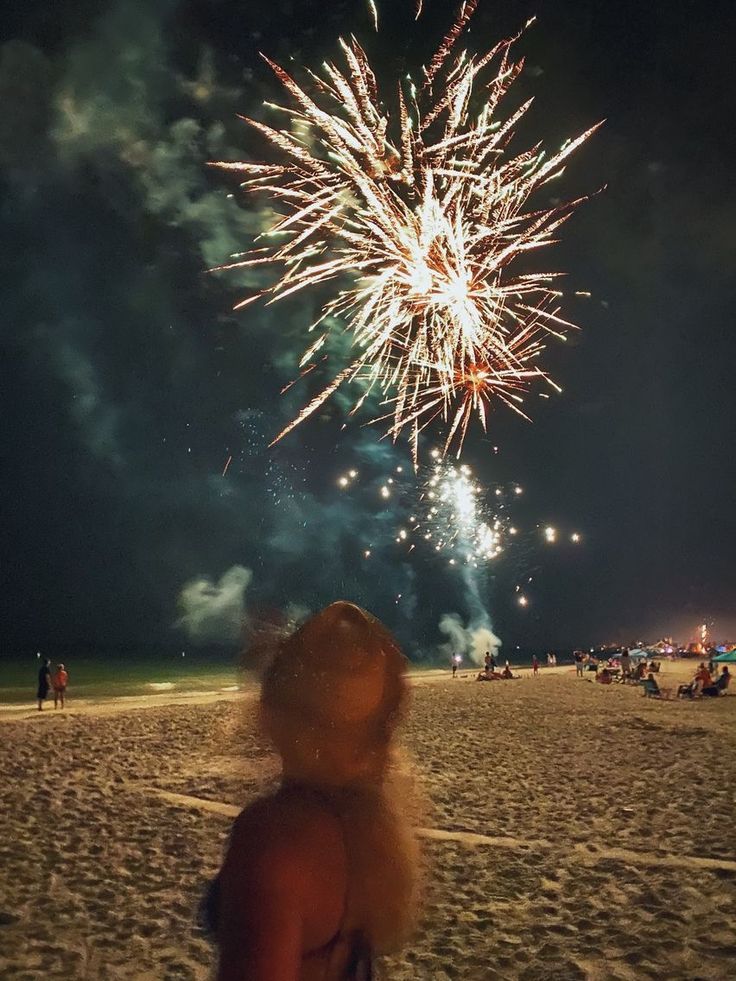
333, 696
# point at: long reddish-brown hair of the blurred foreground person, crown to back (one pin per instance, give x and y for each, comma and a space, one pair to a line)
331, 700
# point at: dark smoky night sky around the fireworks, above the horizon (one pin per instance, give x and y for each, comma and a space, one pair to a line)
127, 381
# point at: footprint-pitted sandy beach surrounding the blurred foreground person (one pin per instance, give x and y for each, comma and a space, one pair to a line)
574, 831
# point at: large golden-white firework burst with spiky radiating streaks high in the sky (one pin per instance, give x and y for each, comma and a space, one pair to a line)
416, 215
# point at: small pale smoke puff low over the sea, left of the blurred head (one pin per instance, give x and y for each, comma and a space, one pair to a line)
214, 612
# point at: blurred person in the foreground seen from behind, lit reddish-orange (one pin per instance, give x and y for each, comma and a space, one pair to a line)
320, 876
